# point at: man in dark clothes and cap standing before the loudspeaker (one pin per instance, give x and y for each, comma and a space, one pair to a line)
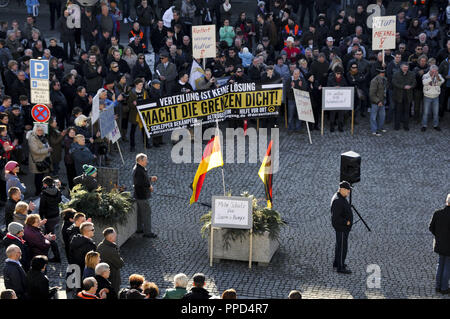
342, 220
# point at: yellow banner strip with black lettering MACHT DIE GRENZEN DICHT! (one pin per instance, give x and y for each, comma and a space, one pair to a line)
218, 104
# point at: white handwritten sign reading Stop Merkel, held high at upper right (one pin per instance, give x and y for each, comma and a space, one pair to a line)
383, 33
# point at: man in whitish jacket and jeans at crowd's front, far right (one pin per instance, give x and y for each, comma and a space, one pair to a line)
432, 82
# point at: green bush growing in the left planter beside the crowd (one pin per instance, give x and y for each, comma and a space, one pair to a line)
111, 207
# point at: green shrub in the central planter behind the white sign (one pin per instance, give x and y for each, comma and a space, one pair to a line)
264, 220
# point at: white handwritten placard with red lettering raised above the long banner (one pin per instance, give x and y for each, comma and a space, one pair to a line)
204, 41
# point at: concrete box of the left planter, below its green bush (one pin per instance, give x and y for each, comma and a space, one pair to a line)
124, 231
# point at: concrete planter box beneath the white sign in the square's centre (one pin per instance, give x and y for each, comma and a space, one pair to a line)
263, 248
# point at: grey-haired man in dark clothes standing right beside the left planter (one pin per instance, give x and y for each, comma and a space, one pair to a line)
142, 193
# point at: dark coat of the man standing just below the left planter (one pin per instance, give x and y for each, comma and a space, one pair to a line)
109, 253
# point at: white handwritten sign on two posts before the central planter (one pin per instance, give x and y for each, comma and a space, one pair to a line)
232, 212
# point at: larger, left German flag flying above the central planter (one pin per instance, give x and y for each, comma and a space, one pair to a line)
212, 158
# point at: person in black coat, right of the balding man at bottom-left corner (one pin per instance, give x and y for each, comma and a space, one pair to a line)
37, 282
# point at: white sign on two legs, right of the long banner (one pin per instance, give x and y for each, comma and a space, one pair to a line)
337, 98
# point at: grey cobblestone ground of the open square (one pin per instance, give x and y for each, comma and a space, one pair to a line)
404, 178
